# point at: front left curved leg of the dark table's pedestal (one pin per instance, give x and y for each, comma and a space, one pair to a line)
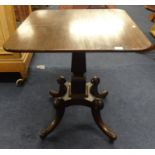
52, 125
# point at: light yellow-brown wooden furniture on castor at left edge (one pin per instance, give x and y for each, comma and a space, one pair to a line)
11, 62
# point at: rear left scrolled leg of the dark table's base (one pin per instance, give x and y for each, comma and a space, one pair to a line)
62, 88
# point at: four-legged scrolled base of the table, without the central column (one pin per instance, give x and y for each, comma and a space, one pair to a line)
91, 98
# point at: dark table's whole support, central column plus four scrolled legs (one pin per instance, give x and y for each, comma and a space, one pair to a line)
78, 92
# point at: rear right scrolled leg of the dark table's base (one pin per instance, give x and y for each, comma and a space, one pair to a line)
94, 88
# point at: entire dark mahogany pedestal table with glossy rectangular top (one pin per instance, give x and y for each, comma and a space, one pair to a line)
78, 32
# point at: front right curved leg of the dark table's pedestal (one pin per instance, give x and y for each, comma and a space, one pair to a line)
102, 125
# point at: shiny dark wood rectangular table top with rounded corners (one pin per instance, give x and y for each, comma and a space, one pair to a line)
86, 30
